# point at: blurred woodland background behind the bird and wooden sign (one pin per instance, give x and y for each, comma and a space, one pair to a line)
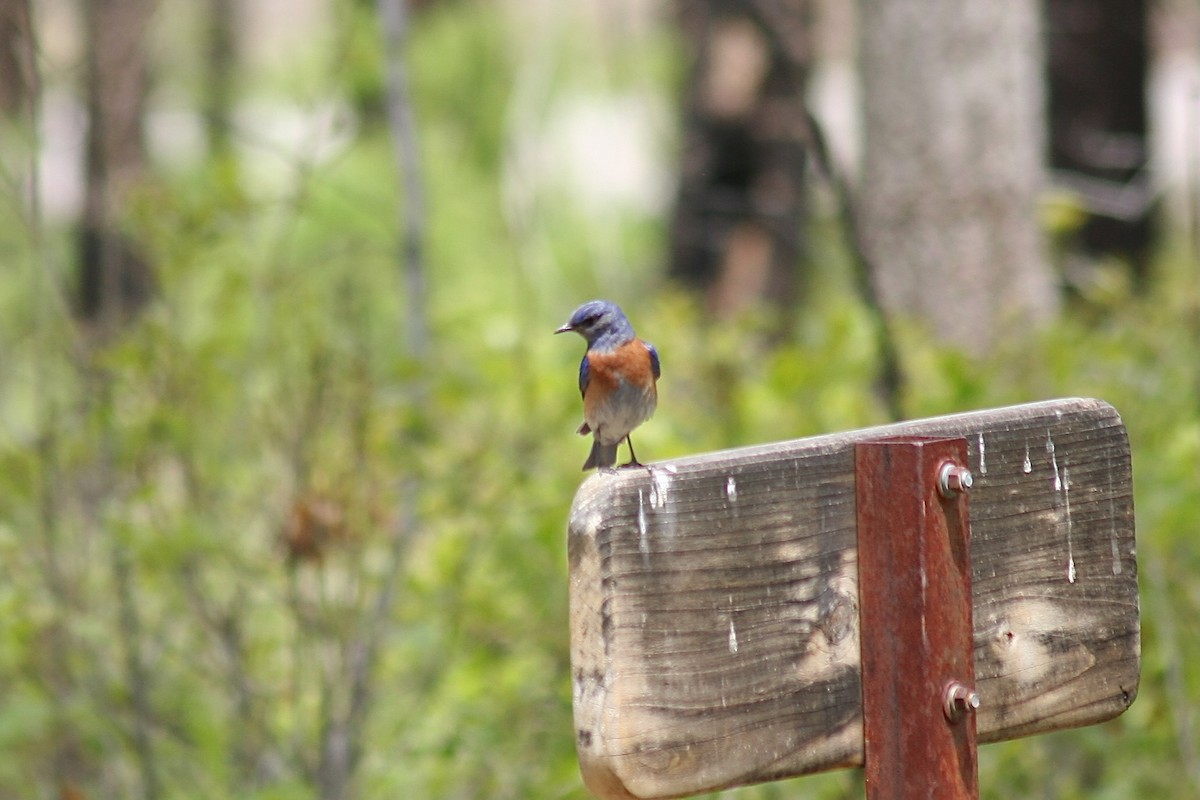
287, 446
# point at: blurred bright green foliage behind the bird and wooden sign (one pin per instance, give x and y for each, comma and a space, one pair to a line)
271, 394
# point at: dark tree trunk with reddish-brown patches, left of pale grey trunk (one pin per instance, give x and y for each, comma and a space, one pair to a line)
736, 230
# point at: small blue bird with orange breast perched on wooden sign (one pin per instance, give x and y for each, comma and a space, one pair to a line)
619, 380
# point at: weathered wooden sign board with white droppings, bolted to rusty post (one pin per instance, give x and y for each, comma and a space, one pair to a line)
715, 600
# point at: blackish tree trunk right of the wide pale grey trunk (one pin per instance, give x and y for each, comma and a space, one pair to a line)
1099, 140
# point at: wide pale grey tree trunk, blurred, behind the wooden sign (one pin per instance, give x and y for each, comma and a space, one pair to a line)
953, 167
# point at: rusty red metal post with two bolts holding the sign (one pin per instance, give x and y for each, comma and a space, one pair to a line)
916, 622
